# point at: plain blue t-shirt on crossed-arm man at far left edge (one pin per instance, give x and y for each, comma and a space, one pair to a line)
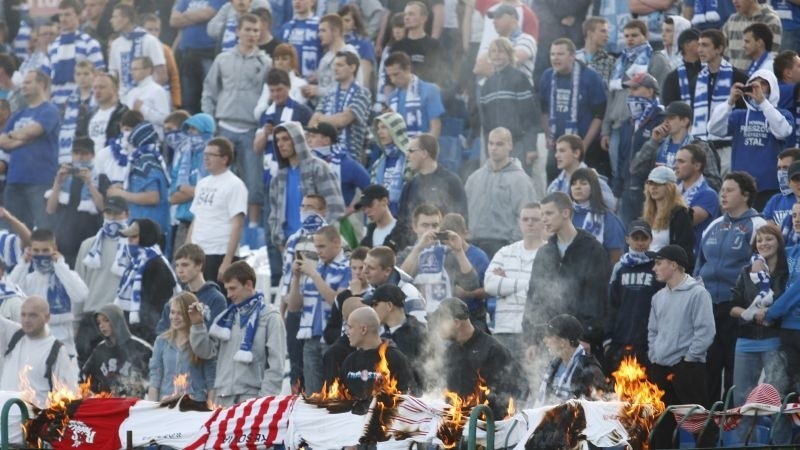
35, 162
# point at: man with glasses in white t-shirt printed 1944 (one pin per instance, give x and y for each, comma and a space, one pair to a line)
219, 207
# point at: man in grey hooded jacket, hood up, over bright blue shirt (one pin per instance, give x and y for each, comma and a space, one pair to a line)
308, 175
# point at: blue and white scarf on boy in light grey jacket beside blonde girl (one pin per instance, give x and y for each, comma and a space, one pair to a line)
248, 311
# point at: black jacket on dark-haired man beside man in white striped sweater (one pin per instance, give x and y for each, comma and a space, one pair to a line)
576, 284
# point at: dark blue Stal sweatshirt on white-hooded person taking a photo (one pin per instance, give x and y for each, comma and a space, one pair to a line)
754, 148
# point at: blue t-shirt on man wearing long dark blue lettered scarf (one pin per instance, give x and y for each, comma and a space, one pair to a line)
591, 95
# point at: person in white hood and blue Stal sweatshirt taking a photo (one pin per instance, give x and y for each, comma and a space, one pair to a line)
758, 131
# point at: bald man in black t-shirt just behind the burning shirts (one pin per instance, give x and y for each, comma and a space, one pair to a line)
358, 369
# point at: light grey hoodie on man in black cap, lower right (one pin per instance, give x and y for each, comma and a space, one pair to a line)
681, 325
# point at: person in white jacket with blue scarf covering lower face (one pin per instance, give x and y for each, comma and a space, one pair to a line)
44, 273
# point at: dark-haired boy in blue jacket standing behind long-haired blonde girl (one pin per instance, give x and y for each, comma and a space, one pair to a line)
189, 260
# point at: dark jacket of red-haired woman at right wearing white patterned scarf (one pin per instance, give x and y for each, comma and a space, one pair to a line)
742, 295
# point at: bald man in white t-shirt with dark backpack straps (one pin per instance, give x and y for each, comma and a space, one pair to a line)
30, 344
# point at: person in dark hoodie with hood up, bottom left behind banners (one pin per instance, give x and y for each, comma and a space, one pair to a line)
119, 363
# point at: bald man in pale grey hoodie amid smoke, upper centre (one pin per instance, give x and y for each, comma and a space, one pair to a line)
495, 194
